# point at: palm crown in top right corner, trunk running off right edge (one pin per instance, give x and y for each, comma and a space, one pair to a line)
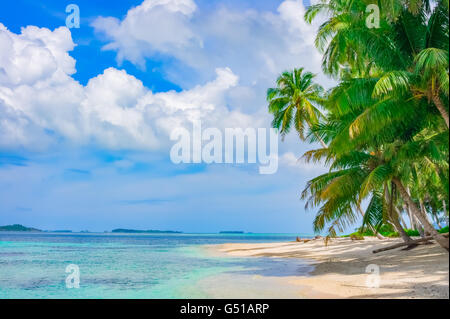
426, 48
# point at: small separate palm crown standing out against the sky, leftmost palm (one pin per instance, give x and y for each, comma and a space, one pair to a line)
295, 102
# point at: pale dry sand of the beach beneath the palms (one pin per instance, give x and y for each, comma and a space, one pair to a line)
340, 270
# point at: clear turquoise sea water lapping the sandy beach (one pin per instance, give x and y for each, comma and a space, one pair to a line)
125, 265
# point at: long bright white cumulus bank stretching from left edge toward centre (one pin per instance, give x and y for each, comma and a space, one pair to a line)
44, 105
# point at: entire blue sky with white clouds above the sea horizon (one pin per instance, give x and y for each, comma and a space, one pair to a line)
86, 113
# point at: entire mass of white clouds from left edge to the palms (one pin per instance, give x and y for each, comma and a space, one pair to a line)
237, 54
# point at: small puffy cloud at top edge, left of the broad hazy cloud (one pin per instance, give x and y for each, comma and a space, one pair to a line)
155, 25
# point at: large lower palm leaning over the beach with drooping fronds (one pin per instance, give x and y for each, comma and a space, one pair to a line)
366, 155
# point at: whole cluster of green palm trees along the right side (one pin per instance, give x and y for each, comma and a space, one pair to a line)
384, 127
